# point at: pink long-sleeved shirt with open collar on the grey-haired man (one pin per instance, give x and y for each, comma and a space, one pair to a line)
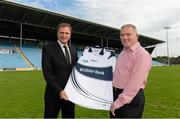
131, 72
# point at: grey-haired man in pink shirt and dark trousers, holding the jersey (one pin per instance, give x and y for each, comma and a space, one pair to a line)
130, 76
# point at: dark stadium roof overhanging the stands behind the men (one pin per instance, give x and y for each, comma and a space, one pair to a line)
41, 24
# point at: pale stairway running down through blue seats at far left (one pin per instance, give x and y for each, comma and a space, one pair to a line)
25, 58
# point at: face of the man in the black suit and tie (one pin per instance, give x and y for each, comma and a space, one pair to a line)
64, 34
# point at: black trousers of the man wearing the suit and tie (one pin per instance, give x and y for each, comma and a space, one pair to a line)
52, 109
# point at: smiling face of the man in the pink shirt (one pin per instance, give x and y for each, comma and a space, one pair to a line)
128, 37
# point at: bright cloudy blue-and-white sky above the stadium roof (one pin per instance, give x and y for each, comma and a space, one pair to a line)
149, 16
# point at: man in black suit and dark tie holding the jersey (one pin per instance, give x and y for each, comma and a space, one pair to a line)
58, 59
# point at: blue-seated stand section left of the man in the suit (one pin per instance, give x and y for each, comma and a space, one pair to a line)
13, 57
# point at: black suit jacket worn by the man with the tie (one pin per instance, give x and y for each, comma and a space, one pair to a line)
55, 69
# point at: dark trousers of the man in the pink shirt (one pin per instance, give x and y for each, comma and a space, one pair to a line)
131, 110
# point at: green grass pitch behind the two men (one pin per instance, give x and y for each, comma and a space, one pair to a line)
21, 95
